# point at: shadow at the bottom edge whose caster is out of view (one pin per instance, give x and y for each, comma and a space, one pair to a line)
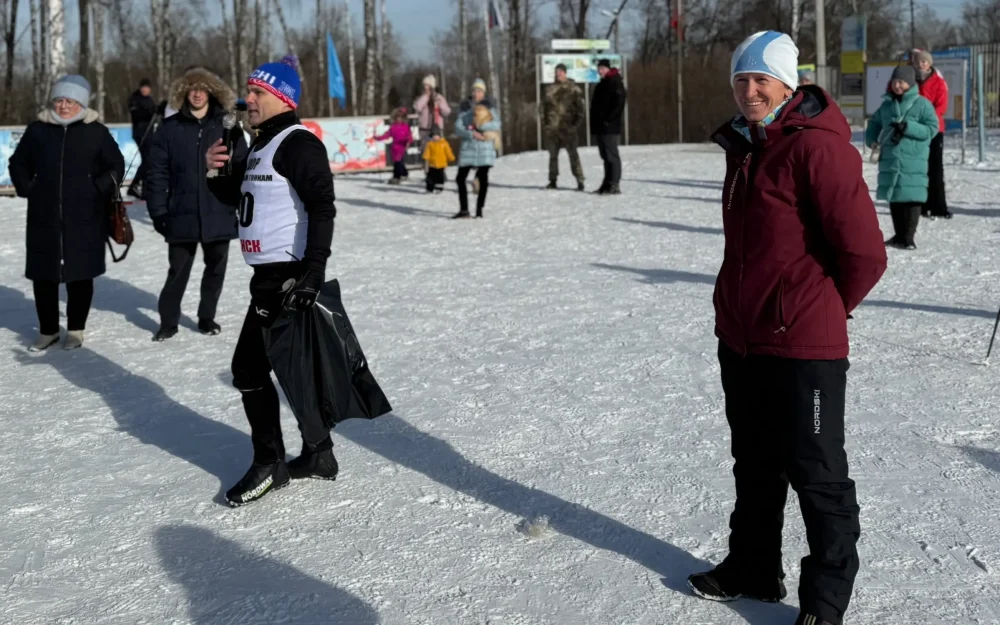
229, 585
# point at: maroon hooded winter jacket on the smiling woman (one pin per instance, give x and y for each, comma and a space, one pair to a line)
803, 245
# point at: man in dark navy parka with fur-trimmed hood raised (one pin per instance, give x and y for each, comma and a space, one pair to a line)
179, 202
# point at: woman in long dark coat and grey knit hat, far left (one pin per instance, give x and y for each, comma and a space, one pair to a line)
67, 165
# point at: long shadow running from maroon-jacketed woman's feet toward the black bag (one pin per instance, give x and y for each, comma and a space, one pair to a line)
397, 441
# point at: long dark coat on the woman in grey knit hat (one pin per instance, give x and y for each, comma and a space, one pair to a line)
68, 174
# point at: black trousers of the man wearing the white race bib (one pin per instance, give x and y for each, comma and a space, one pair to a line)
252, 370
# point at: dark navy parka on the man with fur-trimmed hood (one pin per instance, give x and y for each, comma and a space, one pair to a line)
176, 184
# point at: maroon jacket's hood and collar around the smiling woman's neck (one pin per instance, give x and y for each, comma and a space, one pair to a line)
810, 108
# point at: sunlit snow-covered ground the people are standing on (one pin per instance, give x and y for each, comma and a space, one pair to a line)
555, 359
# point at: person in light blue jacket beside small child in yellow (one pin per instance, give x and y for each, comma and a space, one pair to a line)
477, 149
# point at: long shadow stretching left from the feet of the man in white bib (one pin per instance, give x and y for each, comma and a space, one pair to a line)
139, 406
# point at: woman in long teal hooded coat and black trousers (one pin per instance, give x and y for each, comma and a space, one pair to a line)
901, 132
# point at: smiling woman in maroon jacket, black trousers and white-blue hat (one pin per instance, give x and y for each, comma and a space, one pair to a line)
802, 249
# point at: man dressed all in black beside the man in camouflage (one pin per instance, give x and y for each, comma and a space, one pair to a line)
606, 111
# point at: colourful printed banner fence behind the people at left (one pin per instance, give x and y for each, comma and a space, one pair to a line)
350, 143
